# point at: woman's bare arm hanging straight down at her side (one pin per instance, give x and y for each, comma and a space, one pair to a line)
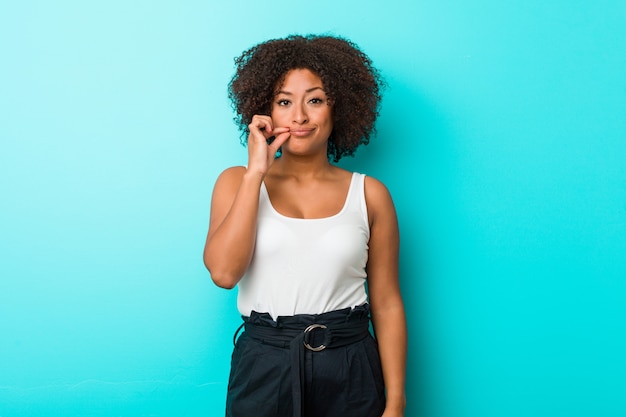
388, 314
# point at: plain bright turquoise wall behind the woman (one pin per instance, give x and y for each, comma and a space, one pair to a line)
502, 138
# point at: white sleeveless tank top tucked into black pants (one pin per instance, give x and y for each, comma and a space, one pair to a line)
308, 266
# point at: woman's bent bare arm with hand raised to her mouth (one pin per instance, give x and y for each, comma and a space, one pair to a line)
234, 206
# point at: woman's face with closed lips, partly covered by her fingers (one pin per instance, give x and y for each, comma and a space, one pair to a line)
302, 105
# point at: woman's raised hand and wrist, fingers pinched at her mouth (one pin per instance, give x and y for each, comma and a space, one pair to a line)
260, 154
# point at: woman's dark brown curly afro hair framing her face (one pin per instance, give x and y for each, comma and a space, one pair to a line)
351, 83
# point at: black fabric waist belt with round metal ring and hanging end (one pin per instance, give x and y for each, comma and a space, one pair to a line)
339, 328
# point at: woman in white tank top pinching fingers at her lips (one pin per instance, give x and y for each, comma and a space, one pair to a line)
312, 247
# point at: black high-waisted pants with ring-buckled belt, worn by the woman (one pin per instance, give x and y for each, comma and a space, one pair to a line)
280, 369
